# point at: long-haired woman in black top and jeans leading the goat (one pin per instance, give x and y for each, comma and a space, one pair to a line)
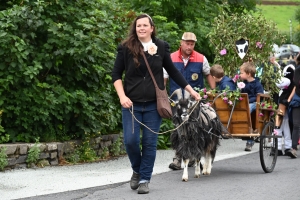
138, 96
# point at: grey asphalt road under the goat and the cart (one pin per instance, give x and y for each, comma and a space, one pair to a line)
235, 175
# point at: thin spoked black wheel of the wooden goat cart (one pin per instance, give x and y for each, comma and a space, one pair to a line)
268, 149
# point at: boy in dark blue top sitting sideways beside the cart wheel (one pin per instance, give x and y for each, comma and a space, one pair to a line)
252, 88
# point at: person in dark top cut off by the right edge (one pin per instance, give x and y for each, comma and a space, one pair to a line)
294, 109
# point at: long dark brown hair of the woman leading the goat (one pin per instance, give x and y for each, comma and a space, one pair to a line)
132, 42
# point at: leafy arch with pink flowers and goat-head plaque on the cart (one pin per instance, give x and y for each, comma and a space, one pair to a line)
226, 30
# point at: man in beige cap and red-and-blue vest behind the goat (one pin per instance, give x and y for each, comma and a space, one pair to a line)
193, 66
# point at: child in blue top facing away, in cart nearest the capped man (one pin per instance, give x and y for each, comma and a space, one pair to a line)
222, 81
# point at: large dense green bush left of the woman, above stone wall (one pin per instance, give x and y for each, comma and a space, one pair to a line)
55, 64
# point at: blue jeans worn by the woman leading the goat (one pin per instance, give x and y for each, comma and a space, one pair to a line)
142, 160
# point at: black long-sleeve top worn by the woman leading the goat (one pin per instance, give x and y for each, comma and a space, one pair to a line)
138, 84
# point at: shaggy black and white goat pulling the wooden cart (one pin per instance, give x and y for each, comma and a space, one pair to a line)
197, 134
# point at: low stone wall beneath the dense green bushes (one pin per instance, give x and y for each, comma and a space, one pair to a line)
52, 153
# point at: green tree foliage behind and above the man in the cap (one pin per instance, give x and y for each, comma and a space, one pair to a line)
195, 16
